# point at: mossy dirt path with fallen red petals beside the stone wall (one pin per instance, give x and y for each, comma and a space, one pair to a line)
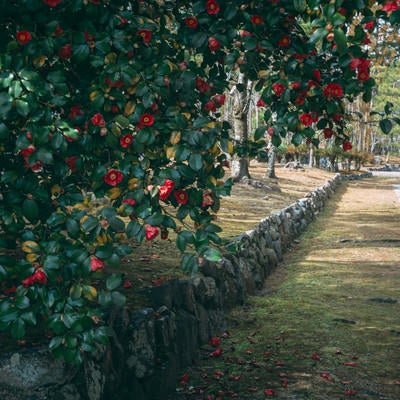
327, 326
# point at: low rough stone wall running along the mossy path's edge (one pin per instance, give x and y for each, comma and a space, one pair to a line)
151, 346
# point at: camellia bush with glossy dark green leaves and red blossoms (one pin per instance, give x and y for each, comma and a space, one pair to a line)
110, 132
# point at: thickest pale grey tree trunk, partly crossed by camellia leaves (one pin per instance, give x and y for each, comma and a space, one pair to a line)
240, 166
